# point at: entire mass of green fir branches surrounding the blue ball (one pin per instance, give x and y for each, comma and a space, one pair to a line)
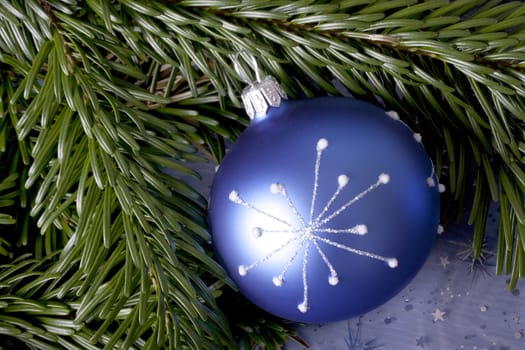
99, 98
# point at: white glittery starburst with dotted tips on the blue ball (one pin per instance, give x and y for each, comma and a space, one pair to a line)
312, 233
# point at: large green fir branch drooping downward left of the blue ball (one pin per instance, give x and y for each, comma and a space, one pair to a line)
97, 148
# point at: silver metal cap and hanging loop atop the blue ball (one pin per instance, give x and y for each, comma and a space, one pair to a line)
261, 94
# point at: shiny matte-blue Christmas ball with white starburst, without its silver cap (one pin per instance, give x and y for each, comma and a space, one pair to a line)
324, 209
